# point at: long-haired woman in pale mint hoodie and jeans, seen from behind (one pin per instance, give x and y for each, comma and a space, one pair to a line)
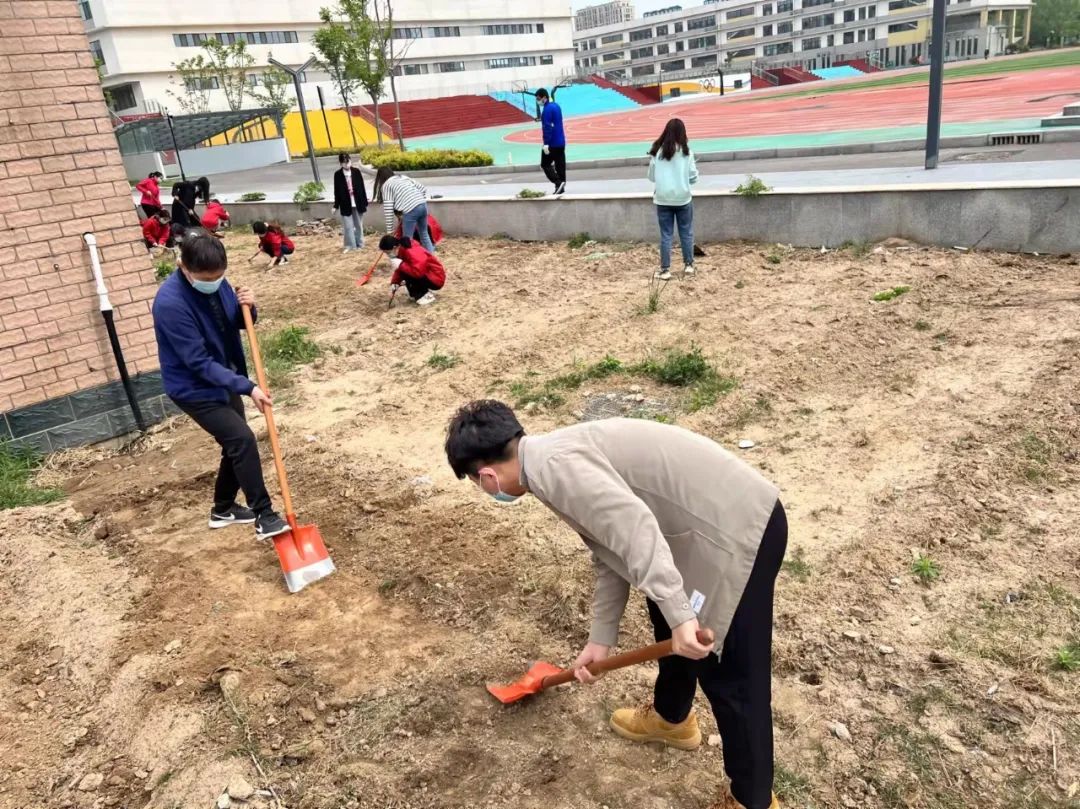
673, 171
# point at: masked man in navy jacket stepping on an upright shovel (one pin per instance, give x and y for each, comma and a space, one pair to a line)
198, 321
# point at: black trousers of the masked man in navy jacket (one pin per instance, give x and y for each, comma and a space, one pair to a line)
241, 468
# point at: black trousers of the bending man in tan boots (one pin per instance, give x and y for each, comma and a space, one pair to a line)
738, 684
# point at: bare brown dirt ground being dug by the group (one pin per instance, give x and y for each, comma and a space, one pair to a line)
146, 662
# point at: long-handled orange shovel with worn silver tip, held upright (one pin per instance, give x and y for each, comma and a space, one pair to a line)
301, 550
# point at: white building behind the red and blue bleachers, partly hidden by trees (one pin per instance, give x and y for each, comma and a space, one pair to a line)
445, 48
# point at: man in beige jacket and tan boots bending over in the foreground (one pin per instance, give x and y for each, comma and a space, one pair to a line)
694, 528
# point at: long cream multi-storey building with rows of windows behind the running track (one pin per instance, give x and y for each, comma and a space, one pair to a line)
812, 34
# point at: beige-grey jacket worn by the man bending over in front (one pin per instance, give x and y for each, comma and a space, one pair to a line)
660, 508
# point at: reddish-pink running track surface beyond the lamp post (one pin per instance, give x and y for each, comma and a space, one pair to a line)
977, 99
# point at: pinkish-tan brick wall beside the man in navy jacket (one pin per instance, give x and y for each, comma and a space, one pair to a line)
61, 176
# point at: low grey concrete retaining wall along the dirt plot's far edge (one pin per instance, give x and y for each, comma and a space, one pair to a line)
1043, 220
